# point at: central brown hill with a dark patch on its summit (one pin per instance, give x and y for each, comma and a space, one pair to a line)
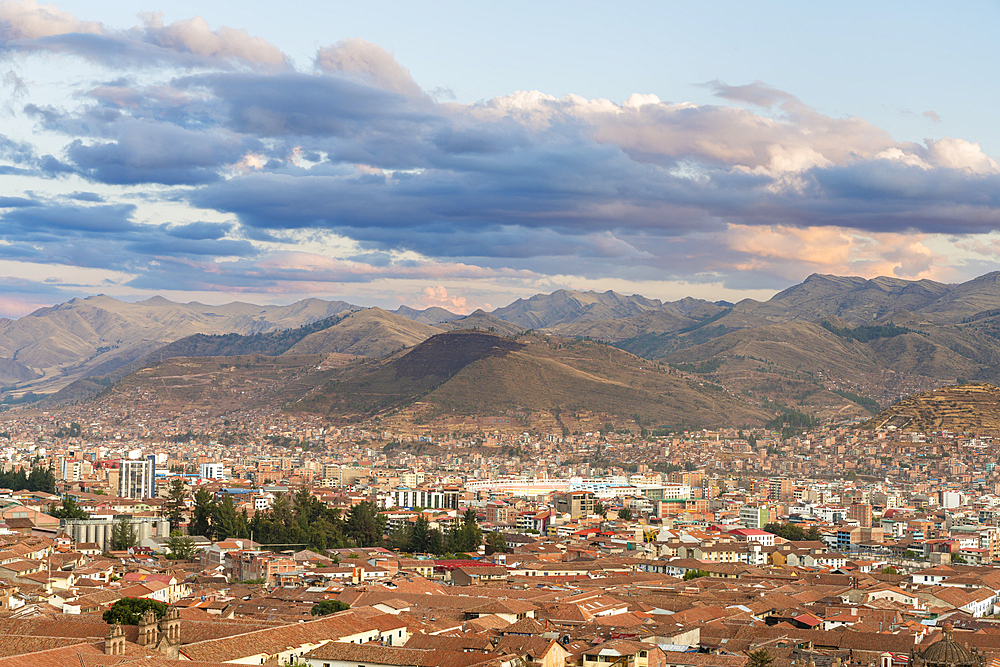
456, 379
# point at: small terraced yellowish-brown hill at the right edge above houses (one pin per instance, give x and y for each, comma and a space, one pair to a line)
967, 408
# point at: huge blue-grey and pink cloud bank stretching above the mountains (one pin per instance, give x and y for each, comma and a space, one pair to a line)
206, 178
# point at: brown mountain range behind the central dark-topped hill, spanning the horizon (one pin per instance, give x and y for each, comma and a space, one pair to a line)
830, 345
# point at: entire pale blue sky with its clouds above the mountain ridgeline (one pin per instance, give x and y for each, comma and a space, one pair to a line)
465, 154
